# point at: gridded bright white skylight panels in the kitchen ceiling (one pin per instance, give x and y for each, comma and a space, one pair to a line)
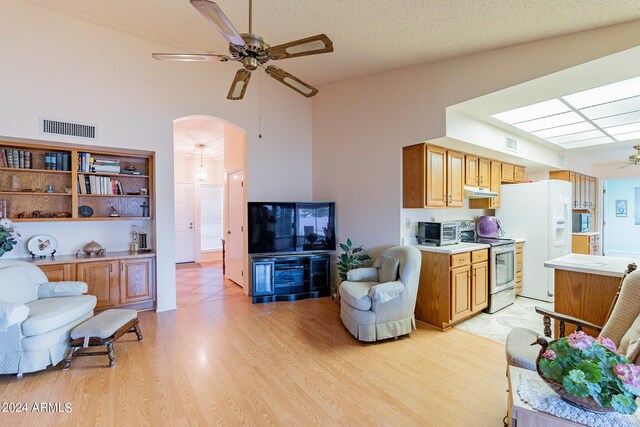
601, 115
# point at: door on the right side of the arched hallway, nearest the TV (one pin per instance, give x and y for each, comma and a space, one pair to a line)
234, 250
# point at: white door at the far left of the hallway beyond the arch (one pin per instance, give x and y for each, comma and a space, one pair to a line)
185, 219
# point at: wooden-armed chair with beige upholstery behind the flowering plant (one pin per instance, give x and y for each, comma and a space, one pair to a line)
622, 327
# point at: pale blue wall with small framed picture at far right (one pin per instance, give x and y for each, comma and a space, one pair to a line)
621, 235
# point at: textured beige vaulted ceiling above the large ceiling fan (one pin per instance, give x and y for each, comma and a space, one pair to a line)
368, 36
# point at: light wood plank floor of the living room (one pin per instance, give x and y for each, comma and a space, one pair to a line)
228, 362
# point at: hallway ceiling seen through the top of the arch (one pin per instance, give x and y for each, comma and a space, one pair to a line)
188, 133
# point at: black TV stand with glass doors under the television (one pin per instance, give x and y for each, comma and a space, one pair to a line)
290, 277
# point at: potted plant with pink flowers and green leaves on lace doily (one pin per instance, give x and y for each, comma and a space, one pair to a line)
589, 373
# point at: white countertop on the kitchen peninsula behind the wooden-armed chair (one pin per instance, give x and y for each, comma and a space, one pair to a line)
591, 264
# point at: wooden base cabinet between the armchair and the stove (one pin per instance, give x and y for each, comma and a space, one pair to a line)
452, 287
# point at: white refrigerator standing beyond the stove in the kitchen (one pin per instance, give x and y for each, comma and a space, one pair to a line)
540, 213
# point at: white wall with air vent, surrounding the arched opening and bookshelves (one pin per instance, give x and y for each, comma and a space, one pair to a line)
64, 68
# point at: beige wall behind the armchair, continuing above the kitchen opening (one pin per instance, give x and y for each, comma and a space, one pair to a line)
360, 125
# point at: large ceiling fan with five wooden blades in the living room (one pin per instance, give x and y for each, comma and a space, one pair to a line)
253, 51
